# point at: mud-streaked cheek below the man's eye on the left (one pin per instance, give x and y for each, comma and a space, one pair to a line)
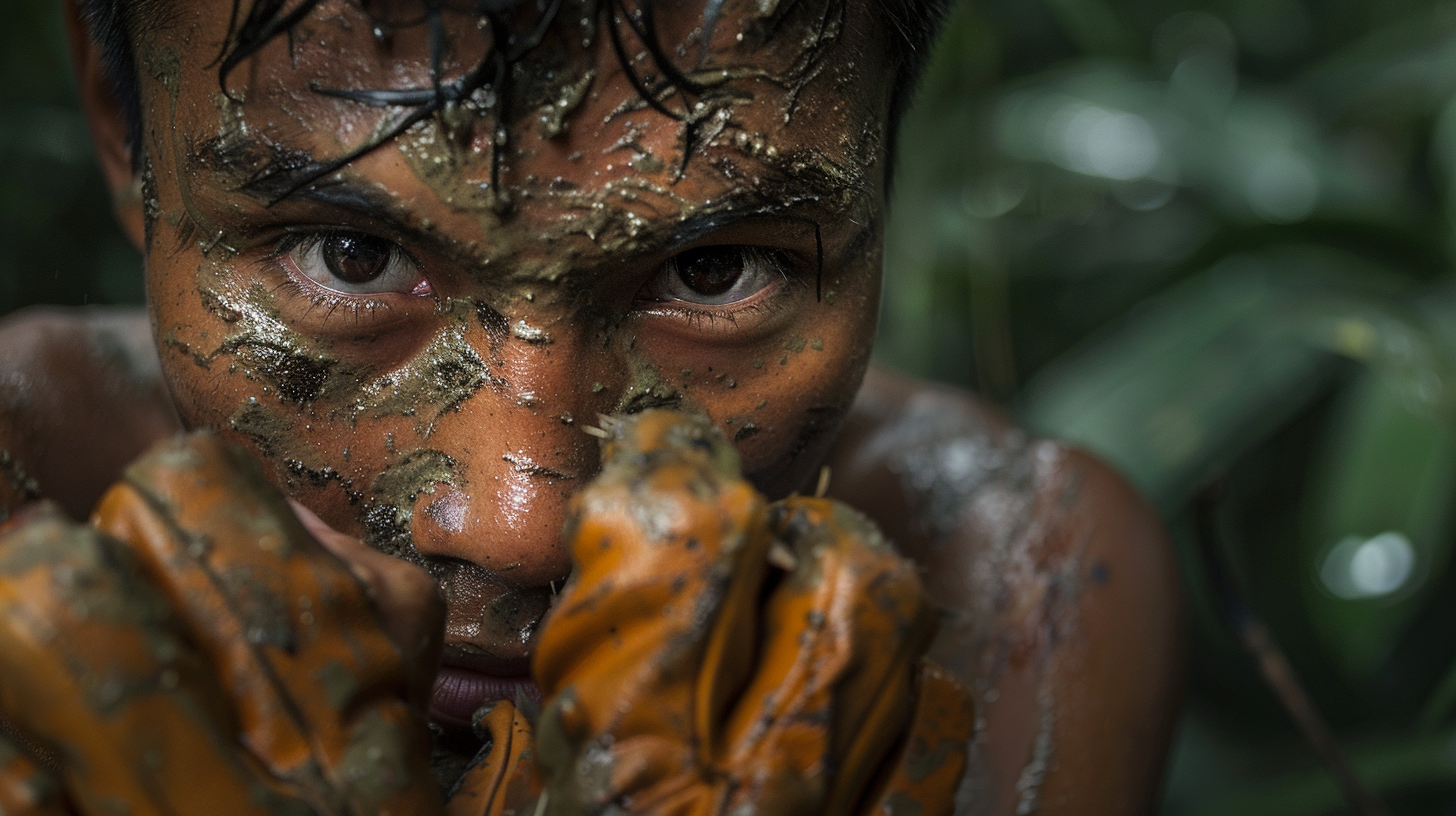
234, 366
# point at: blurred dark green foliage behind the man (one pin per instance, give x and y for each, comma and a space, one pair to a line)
1203, 240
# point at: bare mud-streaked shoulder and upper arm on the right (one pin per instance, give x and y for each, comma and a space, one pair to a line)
1059, 585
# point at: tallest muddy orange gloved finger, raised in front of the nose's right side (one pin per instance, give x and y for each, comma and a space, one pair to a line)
637, 651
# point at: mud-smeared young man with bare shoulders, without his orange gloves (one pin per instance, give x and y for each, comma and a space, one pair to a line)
404, 253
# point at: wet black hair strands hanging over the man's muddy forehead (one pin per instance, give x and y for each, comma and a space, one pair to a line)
531, 63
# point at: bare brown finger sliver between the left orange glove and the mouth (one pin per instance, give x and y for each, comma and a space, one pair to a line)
408, 600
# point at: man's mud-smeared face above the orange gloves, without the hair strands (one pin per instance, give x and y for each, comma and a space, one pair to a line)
419, 342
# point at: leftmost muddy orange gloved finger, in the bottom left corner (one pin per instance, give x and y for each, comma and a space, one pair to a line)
95, 675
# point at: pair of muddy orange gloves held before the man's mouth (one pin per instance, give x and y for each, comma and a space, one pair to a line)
197, 652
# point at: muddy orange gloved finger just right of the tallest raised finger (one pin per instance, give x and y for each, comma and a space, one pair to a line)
836, 668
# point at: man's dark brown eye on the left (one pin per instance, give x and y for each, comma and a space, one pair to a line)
352, 263
